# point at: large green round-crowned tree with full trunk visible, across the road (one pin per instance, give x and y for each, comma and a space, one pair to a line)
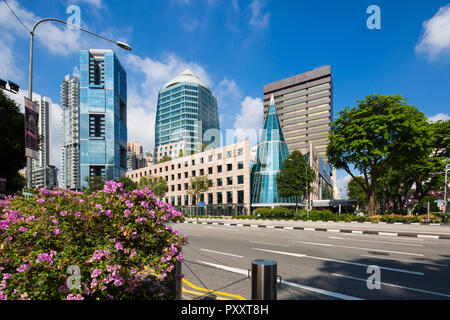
381, 132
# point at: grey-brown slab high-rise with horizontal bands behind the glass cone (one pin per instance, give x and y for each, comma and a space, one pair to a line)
305, 108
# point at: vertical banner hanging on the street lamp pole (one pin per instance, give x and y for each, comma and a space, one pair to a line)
31, 129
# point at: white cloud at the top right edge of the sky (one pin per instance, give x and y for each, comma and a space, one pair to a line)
436, 35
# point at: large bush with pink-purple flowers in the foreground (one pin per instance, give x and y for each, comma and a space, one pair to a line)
69, 245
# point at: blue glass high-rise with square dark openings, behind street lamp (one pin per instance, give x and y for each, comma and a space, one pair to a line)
103, 116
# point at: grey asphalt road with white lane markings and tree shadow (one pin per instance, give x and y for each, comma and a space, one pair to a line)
315, 265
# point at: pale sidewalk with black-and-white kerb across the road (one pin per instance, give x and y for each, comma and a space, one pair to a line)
433, 231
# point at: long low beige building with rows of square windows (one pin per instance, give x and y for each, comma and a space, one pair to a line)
228, 169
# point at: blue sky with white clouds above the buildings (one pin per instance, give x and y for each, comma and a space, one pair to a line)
236, 47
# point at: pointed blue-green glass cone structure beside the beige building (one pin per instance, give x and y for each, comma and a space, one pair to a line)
272, 152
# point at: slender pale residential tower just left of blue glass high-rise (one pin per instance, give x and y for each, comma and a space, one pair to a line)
70, 150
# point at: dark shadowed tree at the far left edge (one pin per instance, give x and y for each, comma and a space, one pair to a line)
12, 143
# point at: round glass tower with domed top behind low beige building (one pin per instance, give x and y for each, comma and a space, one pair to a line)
186, 110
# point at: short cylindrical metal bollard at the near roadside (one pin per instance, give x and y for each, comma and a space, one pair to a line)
264, 279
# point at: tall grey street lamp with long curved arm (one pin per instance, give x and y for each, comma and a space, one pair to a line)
122, 45
